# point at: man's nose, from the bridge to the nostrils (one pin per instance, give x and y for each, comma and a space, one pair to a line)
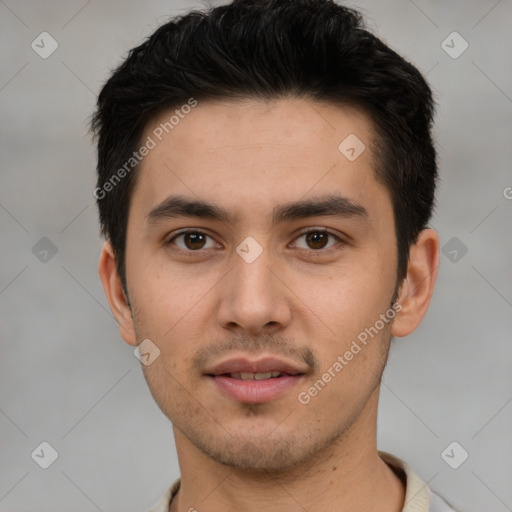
254, 299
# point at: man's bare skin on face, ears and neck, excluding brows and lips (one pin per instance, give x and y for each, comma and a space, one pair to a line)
303, 304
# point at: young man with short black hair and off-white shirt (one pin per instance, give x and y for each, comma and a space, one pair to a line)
266, 175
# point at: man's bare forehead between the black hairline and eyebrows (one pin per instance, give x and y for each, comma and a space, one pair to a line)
258, 153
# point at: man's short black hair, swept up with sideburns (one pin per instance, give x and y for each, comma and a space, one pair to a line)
270, 49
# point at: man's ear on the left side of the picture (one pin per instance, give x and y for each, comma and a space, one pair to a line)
115, 294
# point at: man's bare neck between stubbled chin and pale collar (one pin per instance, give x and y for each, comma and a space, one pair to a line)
347, 475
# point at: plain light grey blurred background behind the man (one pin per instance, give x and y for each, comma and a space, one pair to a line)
68, 379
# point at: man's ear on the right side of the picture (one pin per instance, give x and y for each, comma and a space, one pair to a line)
417, 287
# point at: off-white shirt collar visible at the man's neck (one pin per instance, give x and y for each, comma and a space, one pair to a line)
418, 496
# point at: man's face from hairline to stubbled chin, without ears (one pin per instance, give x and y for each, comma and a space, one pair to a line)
254, 284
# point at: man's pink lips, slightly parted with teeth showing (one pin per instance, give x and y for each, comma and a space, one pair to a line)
254, 382
